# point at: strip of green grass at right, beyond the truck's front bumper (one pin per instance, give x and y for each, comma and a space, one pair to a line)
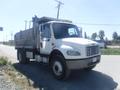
110, 51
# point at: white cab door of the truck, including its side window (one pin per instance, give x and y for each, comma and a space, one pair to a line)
45, 39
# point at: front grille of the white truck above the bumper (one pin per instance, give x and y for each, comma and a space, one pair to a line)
92, 50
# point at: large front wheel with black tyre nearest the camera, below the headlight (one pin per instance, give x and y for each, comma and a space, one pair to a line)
59, 68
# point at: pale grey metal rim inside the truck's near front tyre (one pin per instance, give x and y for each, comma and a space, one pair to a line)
57, 68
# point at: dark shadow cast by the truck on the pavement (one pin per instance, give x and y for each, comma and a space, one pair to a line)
78, 80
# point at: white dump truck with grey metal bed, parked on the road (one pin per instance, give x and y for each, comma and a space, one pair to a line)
58, 43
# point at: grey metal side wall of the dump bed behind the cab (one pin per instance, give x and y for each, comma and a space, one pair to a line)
26, 39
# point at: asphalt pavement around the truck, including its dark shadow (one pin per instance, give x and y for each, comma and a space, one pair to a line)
105, 76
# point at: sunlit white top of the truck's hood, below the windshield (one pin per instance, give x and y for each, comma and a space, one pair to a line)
75, 41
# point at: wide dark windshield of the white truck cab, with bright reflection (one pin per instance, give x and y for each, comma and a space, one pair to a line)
62, 30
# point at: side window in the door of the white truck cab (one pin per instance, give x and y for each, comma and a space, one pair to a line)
46, 33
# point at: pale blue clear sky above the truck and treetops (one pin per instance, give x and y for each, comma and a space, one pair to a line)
91, 15
